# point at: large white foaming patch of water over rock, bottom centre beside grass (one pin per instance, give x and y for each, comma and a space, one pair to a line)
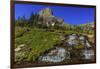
57, 54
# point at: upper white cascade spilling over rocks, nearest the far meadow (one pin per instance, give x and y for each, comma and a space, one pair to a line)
75, 40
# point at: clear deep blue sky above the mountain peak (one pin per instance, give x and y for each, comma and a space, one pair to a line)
70, 14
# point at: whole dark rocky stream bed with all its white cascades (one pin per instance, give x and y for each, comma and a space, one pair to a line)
73, 47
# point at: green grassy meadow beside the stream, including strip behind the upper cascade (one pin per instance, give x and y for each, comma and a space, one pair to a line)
39, 39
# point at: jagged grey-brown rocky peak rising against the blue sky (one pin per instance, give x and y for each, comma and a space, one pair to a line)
47, 19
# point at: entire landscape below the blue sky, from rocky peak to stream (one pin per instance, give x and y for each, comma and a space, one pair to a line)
46, 39
